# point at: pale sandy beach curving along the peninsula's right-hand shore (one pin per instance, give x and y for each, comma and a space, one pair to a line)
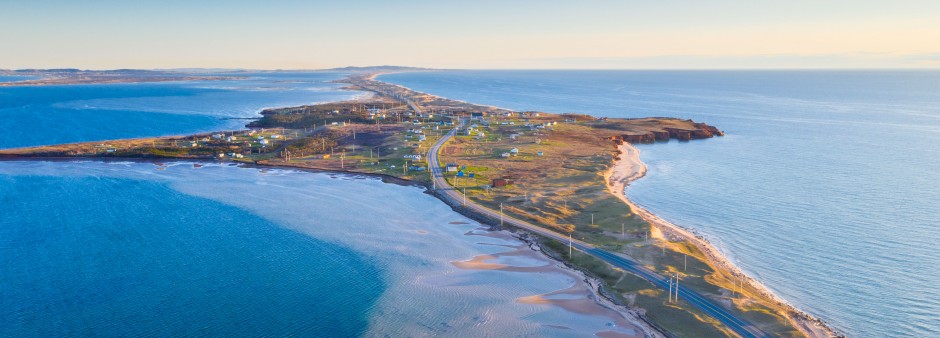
627, 168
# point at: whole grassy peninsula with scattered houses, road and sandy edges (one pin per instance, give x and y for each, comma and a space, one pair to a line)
557, 178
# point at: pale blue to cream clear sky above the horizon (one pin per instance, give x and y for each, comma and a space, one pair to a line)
520, 34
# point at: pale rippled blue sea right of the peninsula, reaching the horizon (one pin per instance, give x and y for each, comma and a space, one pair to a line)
825, 188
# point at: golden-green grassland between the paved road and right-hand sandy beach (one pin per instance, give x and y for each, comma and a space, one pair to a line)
563, 189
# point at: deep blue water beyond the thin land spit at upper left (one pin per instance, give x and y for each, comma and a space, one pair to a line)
40, 115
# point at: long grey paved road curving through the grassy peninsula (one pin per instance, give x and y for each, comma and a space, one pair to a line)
738, 325
